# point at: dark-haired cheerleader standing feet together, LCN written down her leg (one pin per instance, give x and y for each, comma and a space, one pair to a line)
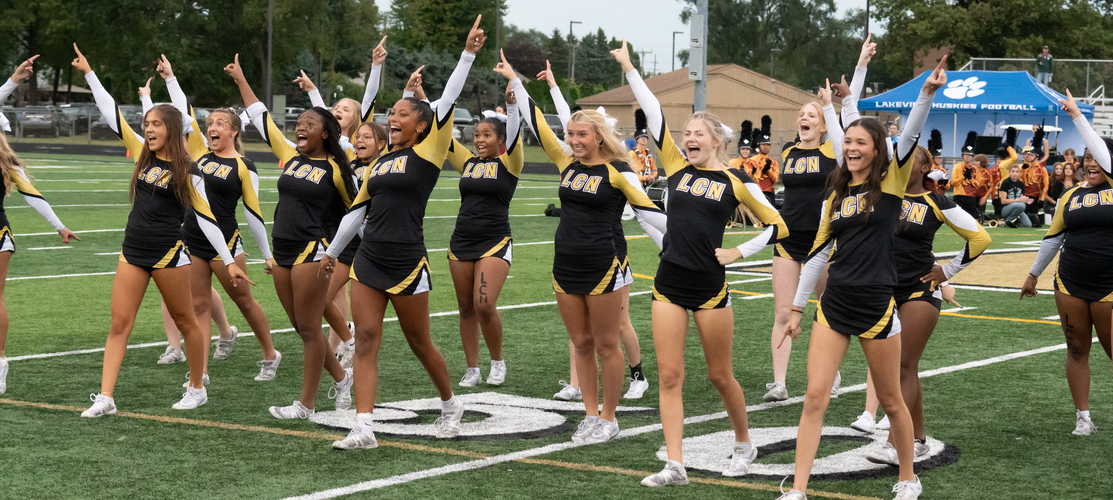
481, 248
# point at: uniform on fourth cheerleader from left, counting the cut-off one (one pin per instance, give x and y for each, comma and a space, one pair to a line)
313, 198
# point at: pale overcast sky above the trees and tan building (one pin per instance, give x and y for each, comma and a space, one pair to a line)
647, 24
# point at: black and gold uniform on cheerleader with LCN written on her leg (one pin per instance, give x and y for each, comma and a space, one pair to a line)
487, 189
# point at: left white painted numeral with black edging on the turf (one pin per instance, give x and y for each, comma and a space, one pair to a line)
501, 417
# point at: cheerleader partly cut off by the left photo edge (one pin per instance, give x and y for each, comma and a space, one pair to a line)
15, 175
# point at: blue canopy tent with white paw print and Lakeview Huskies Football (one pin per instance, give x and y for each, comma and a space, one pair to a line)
984, 102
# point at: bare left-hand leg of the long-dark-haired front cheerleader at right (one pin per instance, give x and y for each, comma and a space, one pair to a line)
826, 350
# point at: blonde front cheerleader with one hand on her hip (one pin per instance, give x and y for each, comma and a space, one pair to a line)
692, 277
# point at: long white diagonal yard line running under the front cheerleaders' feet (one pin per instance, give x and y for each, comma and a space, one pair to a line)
472, 465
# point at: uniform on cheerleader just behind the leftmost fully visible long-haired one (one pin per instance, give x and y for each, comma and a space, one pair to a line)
228, 181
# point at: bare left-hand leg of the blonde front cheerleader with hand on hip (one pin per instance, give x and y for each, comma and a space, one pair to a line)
671, 331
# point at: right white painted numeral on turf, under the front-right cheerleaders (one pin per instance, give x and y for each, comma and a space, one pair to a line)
712, 454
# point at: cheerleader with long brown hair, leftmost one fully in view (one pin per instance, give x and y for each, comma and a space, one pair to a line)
165, 185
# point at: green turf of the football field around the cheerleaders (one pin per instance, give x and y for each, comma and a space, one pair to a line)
1011, 420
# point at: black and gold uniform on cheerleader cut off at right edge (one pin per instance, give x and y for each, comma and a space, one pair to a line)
1081, 232
